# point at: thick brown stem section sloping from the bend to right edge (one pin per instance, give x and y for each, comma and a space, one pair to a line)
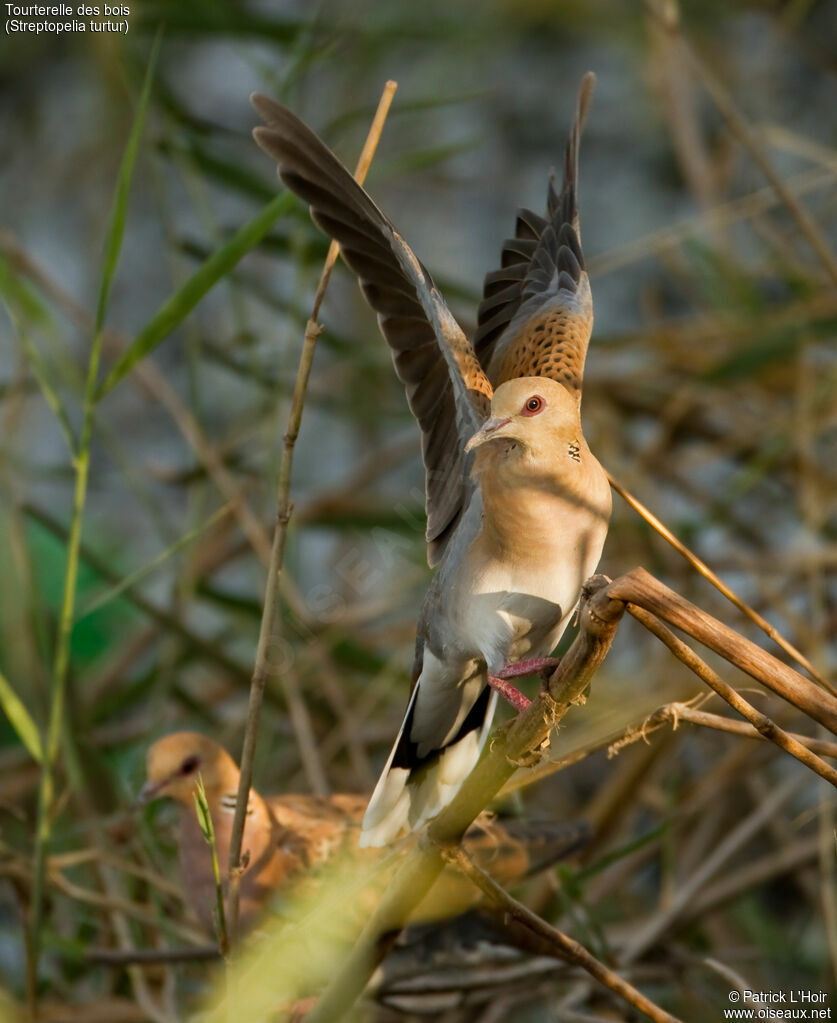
642, 589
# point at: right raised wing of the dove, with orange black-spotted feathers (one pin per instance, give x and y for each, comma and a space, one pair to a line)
537, 315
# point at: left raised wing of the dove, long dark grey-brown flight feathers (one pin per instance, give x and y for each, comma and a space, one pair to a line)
447, 388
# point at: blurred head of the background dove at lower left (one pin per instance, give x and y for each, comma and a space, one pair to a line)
174, 763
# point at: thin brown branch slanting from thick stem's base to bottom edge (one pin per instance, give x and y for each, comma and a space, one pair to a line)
564, 948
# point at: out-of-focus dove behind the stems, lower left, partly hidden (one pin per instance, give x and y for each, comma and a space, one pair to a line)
288, 837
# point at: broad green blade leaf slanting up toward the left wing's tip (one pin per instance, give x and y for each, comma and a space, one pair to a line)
173, 312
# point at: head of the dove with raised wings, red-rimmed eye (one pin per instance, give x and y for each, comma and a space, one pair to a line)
537, 416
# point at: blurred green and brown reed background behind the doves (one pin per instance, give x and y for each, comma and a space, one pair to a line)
711, 394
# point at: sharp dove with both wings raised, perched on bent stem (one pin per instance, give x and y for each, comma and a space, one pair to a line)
517, 506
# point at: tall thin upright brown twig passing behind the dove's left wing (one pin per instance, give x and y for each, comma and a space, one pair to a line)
269, 628
